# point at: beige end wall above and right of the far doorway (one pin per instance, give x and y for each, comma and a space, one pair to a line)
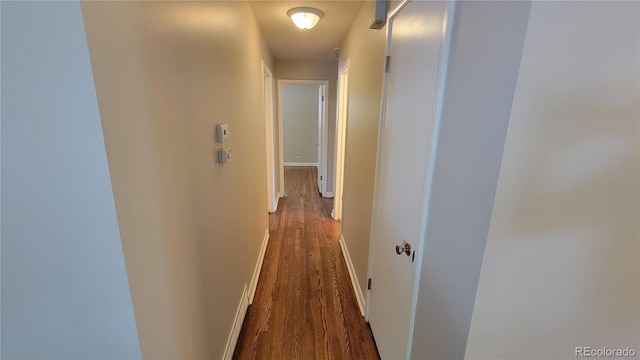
318, 70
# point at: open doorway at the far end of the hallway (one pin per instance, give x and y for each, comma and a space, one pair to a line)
302, 129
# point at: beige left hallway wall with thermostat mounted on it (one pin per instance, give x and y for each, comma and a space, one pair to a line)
166, 73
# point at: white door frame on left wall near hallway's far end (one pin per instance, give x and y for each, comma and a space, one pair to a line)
273, 195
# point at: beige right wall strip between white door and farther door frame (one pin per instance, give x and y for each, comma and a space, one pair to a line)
365, 50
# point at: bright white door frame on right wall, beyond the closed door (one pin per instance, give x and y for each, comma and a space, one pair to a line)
341, 136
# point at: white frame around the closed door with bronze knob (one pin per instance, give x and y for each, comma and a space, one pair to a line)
448, 25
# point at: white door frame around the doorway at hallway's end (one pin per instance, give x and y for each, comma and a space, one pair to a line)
322, 150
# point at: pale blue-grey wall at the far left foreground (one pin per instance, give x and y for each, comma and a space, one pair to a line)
65, 292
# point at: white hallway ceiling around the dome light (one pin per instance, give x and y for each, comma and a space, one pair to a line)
287, 42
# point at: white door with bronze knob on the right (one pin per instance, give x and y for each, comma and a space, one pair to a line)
403, 171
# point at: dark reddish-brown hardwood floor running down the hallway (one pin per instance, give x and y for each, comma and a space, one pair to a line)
304, 306
